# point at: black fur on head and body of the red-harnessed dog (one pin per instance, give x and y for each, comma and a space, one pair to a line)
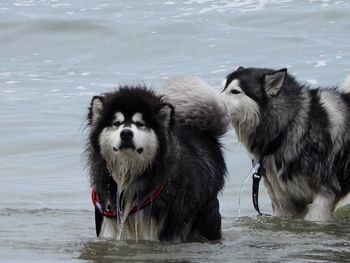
189, 159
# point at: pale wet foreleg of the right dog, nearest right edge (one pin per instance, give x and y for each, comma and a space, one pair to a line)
321, 208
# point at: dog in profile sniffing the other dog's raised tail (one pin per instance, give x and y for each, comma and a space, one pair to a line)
299, 135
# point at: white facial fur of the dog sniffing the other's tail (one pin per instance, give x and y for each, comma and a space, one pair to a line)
243, 110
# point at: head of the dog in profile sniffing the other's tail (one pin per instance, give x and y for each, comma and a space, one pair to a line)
247, 91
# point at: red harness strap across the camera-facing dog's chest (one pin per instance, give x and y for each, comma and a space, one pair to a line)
96, 200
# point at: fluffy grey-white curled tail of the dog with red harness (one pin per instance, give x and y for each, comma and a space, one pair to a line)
197, 104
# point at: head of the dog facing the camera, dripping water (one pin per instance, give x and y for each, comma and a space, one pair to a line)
128, 128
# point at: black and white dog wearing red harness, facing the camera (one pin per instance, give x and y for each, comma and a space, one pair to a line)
156, 163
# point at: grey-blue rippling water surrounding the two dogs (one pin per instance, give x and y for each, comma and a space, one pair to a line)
56, 54
